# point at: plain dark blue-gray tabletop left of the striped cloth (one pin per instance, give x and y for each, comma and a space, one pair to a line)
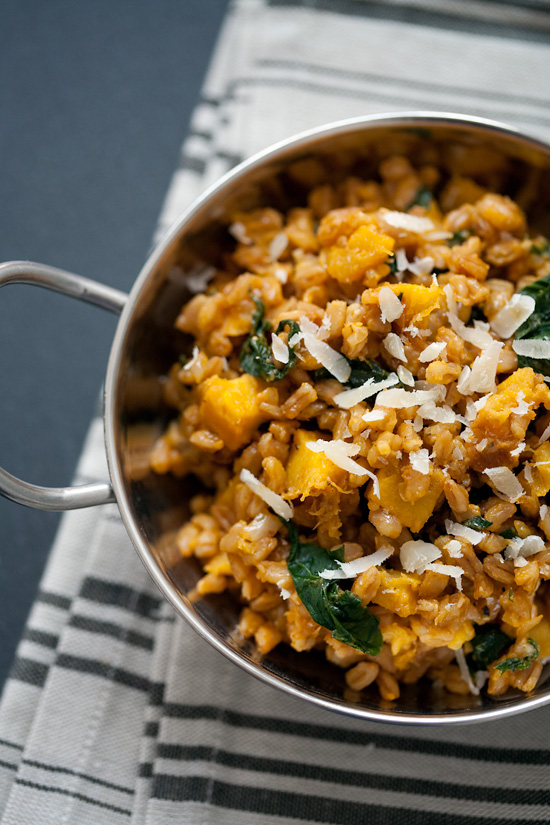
95, 100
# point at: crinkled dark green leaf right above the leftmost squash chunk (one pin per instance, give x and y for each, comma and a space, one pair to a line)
256, 355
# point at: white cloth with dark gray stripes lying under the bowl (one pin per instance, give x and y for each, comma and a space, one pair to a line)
115, 711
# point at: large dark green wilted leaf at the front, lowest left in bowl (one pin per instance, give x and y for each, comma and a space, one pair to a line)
338, 610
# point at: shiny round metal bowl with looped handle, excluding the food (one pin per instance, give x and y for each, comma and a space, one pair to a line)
146, 344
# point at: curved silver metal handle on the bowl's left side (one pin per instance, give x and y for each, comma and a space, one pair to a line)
59, 498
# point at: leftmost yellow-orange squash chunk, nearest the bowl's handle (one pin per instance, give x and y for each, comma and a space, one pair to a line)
231, 408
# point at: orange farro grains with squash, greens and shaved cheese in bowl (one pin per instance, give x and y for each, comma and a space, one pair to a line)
365, 405
